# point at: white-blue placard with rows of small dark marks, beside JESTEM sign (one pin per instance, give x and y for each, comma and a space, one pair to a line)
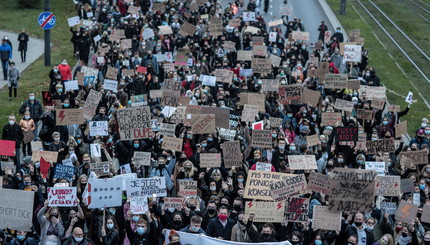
104, 193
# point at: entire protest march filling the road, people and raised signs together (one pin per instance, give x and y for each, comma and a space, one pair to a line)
202, 122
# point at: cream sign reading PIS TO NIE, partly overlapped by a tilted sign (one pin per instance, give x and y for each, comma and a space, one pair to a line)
258, 184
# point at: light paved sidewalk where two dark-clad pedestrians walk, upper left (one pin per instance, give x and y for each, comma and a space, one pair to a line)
35, 49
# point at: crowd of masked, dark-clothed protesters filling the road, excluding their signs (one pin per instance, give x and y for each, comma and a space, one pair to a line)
218, 209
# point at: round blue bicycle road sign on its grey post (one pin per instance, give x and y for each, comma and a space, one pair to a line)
47, 20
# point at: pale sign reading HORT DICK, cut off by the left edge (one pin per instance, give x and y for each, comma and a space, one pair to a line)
17, 209
